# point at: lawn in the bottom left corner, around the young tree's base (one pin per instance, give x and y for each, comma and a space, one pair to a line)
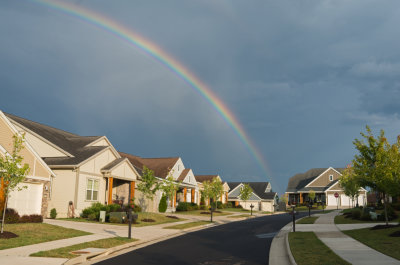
29, 234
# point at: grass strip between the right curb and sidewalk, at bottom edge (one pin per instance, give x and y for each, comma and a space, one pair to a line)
307, 249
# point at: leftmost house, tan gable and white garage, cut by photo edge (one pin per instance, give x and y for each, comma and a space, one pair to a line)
37, 192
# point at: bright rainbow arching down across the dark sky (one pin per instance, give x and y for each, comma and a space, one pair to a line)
151, 49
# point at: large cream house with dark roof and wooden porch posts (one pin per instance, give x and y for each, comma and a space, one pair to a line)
87, 169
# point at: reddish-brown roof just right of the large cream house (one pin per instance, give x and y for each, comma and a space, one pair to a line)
161, 166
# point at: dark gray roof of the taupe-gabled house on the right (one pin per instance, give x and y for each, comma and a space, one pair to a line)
299, 181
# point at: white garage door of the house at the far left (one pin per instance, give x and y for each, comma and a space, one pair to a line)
27, 201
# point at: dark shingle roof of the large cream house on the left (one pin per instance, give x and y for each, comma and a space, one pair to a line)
71, 143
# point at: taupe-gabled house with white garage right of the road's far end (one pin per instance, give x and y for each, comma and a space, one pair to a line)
324, 182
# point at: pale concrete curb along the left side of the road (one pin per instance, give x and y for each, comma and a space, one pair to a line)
94, 256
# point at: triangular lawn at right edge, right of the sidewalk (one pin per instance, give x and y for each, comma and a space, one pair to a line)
379, 240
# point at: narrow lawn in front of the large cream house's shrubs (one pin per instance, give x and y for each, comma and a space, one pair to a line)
159, 219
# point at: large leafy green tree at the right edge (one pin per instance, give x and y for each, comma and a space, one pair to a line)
378, 165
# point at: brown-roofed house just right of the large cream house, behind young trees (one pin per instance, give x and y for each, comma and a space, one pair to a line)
163, 167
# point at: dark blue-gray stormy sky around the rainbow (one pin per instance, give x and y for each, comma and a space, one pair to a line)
302, 77
